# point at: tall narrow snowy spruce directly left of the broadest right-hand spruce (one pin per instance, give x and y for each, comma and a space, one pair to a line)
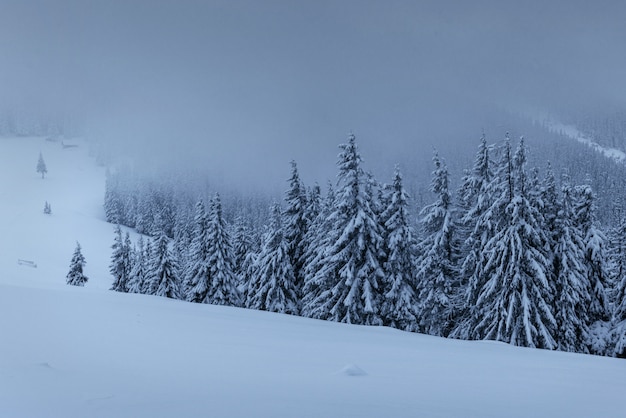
477, 225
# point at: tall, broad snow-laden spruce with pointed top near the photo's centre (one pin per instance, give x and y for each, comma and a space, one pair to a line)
353, 288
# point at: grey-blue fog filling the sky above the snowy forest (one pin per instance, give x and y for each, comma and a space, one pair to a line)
240, 88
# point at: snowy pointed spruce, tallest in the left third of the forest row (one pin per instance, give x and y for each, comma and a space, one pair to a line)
223, 289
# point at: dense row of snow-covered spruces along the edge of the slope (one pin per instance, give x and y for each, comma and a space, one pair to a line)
512, 256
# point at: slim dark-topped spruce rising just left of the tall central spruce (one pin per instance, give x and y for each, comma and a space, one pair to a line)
296, 225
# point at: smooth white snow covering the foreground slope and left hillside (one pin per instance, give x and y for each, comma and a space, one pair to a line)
88, 352
